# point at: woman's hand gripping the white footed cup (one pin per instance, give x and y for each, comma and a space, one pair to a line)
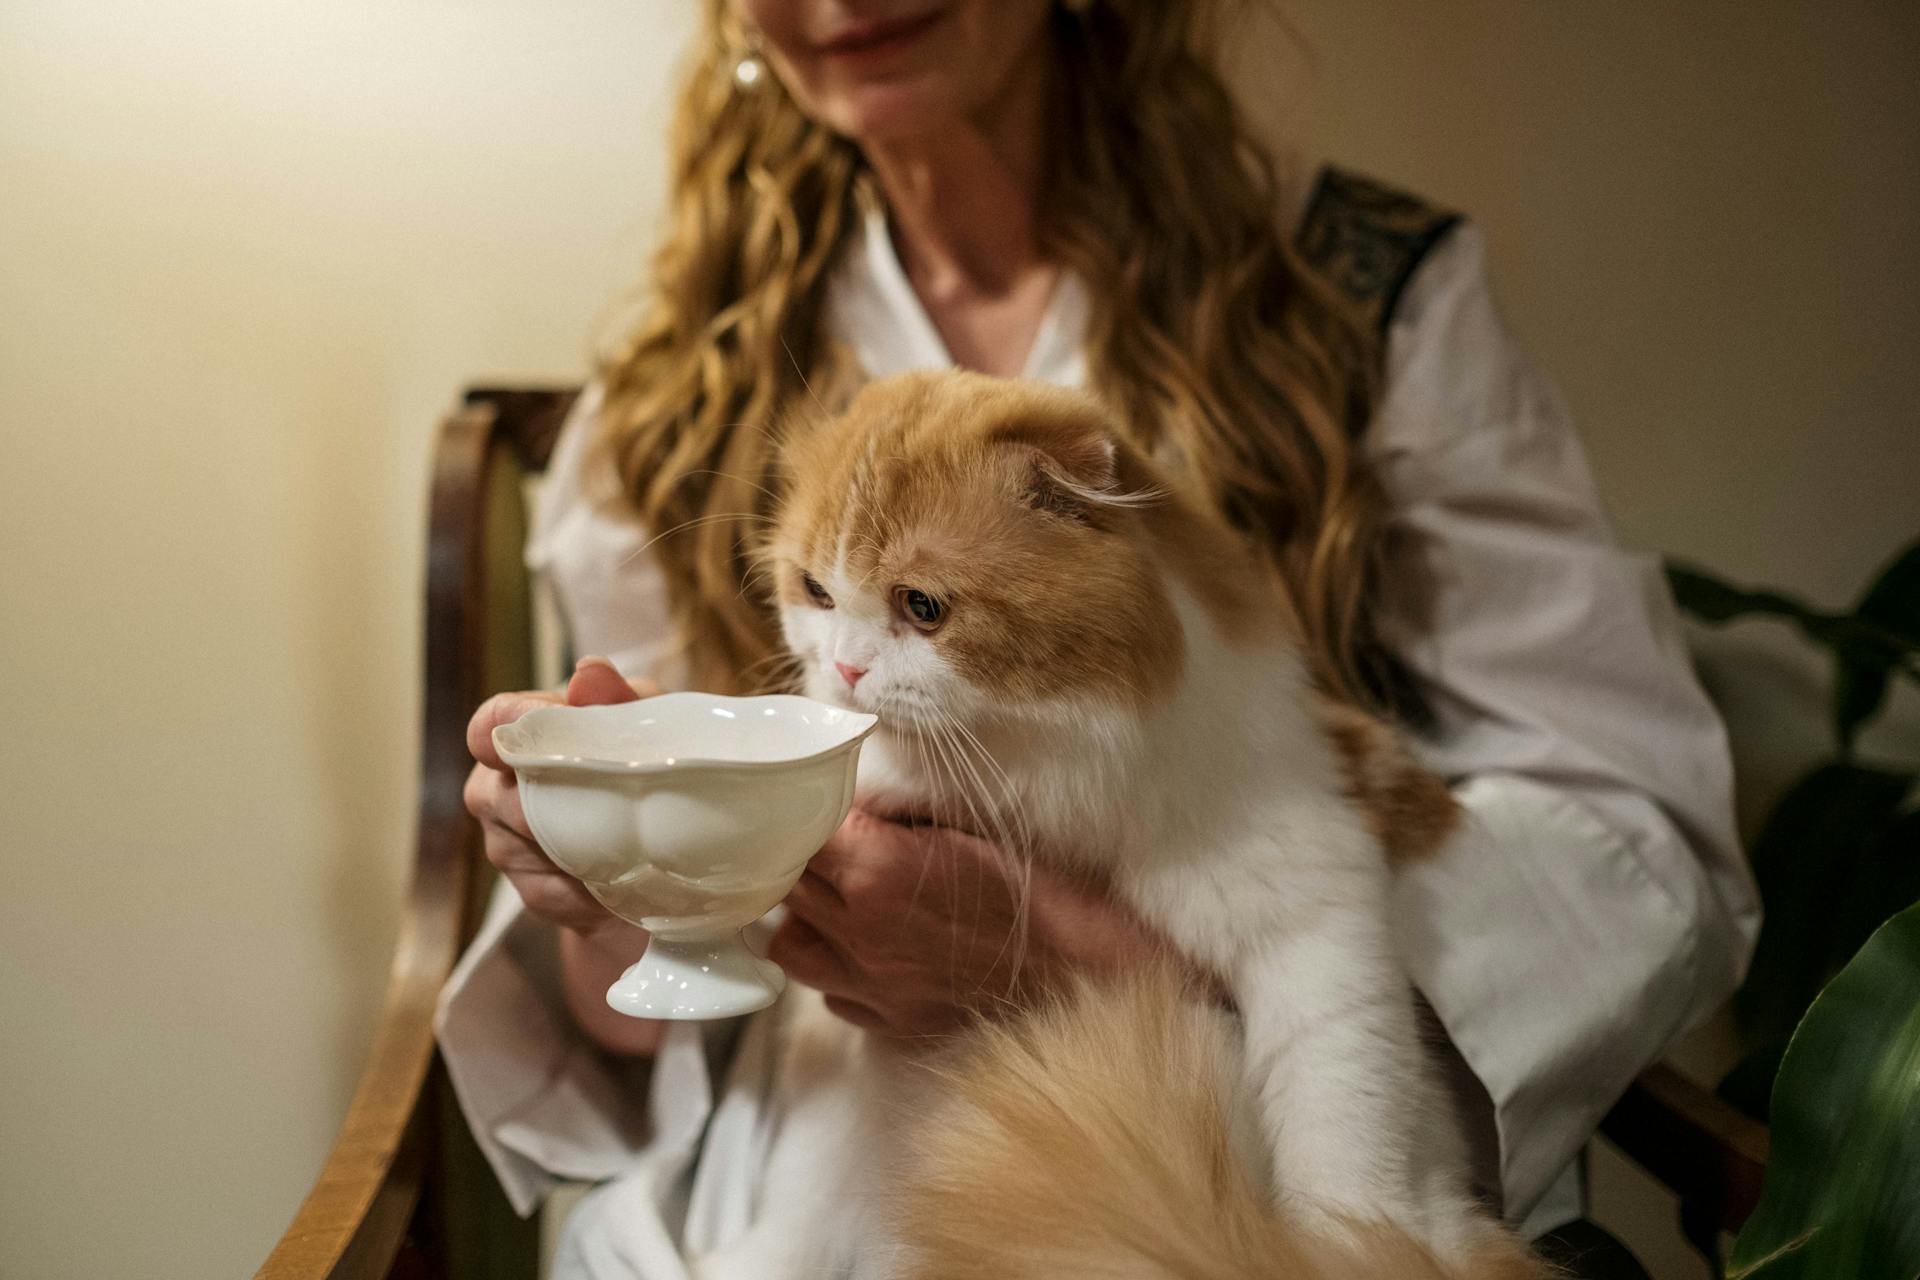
596, 945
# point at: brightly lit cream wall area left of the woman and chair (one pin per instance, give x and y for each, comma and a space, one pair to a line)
249, 252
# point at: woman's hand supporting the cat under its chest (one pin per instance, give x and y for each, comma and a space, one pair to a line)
911, 930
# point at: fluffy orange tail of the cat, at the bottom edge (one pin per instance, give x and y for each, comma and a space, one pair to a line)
1093, 1141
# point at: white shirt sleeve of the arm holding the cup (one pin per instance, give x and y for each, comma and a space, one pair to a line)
542, 1101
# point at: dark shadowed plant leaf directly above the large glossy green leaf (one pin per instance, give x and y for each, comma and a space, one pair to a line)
1815, 849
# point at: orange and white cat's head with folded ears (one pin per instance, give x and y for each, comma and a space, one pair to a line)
957, 546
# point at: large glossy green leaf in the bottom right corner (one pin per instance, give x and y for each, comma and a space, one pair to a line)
1842, 1197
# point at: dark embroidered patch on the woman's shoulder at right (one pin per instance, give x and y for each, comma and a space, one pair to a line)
1368, 239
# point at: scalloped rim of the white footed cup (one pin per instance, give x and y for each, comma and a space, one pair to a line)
516, 749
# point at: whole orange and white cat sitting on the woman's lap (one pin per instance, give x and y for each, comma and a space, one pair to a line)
1072, 655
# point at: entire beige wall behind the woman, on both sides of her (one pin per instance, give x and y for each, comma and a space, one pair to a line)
249, 252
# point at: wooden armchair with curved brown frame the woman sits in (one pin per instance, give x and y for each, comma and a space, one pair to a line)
406, 1193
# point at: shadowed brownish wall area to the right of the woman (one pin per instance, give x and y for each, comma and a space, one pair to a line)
1702, 224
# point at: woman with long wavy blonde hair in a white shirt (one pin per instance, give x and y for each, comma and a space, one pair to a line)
1063, 191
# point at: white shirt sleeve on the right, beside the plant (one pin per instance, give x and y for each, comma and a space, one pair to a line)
1596, 903
